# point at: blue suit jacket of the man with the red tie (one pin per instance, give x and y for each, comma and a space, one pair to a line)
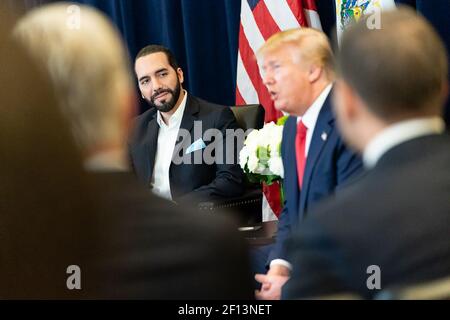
328, 165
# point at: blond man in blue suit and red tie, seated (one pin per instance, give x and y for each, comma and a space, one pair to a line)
297, 69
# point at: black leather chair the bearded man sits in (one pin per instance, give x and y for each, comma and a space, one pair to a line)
247, 207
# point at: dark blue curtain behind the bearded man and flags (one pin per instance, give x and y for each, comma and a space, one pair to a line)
203, 34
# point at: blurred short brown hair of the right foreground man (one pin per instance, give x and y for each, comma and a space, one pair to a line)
400, 69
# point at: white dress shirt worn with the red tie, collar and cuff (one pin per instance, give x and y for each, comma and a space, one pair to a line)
309, 120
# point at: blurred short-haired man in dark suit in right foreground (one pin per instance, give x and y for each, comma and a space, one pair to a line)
394, 222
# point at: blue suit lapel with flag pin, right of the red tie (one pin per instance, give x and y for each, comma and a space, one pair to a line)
322, 130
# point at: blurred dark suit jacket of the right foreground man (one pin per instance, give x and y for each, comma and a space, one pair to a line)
396, 216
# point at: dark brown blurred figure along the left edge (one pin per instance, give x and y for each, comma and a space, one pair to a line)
46, 210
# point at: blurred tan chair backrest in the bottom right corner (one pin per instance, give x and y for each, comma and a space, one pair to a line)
433, 290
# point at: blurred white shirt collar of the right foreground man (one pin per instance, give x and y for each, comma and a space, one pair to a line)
398, 133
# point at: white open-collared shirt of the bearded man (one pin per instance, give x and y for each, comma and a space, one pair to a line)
167, 138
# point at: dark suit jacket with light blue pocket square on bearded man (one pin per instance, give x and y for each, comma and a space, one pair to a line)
189, 181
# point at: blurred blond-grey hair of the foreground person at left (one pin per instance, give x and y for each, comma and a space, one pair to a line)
88, 66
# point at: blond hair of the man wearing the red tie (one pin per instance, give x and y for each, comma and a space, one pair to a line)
313, 46
